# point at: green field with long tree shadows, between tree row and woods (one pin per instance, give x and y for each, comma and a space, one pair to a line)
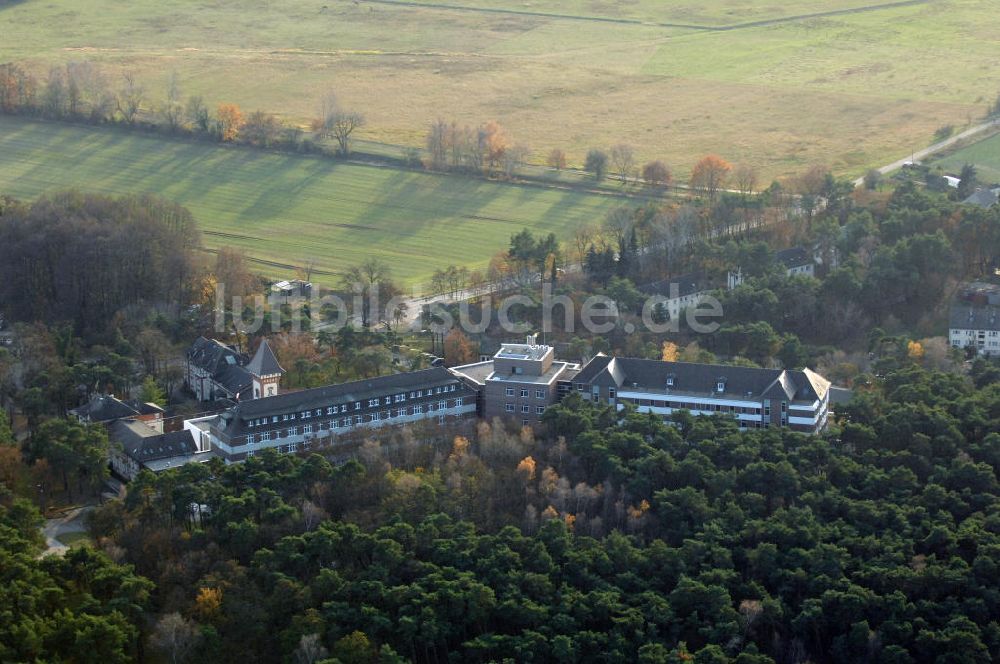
292, 209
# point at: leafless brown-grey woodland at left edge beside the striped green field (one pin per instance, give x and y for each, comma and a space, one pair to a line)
84, 257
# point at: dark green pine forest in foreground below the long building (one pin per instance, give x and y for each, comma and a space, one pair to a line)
606, 538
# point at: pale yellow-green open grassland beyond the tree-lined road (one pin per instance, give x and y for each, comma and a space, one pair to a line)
850, 91
